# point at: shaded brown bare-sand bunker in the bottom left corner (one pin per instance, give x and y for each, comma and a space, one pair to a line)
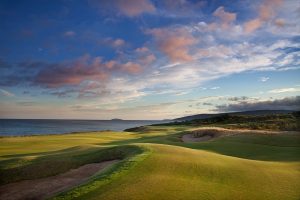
47, 187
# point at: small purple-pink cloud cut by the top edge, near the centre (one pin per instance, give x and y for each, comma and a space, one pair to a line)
130, 8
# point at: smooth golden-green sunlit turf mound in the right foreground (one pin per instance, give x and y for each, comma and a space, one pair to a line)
180, 173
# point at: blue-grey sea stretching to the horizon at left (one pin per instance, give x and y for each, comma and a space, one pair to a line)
20, 127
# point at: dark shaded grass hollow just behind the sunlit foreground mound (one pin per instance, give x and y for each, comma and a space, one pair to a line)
254, 147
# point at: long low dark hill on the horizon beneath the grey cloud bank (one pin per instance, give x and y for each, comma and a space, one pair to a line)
252, 112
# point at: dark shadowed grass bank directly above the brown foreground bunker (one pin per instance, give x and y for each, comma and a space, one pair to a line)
54, 164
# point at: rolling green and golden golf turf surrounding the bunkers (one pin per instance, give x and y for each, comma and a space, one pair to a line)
157, 165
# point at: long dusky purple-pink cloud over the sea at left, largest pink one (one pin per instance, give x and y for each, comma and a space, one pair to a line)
82, 70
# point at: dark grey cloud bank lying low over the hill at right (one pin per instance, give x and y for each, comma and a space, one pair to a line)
288, 103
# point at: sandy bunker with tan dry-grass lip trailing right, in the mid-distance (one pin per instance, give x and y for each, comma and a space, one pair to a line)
208, 133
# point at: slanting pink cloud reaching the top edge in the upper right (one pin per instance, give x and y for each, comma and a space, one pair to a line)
266, 12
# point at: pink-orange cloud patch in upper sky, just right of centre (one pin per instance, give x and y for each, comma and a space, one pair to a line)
175, 43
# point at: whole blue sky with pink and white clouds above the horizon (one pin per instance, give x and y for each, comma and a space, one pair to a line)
147, 59
